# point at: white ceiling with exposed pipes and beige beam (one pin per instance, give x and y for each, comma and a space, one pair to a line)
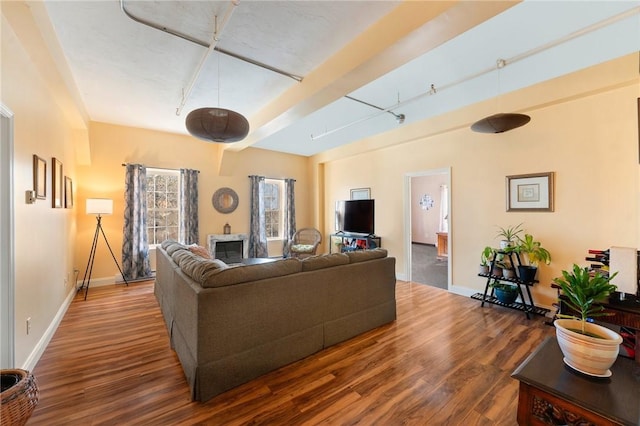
131, 74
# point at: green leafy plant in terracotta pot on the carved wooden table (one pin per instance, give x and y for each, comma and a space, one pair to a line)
587, 347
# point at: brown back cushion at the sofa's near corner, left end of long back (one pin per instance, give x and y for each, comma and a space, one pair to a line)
243, 274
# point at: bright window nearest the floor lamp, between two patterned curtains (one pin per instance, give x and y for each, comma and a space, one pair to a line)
163, 201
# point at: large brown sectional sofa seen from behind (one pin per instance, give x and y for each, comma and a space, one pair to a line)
231, 324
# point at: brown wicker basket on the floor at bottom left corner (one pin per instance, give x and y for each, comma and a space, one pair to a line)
18, 397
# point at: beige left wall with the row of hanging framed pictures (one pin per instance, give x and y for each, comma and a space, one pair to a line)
44, 236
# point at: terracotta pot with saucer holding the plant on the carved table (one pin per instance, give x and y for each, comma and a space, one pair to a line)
590, 355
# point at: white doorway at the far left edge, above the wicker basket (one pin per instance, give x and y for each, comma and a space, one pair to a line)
7, 282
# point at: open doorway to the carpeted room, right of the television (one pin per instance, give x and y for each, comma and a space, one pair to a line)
428, 230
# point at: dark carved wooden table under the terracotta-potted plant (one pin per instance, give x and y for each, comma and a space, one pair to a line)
551, 393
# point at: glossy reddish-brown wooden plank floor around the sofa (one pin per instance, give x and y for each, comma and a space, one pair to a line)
446, 360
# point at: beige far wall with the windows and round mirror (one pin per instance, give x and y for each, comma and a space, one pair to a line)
112, 145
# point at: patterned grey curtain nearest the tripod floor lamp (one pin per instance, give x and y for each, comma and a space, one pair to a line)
135, 250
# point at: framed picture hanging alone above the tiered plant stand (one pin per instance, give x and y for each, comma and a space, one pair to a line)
531, 192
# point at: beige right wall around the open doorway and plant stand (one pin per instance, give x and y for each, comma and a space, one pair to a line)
584, 128
